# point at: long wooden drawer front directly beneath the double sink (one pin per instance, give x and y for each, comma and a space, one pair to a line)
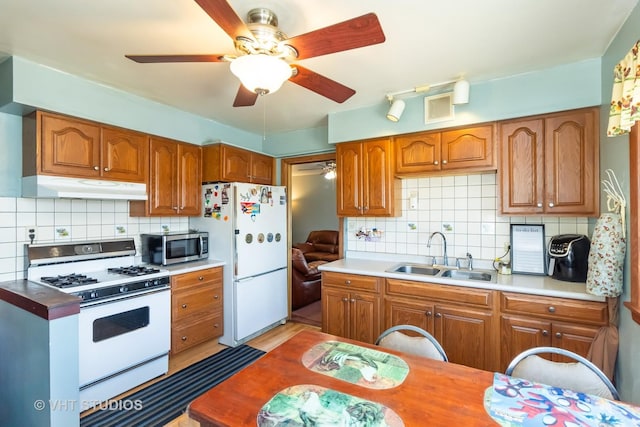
457, 294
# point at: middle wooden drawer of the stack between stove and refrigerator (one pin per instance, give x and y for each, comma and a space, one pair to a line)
196, 302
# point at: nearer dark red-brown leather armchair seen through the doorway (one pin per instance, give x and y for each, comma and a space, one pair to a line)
306, 280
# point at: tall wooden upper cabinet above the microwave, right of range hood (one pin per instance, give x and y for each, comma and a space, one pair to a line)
175, 180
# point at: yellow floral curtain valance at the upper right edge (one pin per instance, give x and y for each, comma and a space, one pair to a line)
625, 98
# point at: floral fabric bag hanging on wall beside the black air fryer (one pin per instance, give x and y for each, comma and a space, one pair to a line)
608, 243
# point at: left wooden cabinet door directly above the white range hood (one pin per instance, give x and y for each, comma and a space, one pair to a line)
69, 147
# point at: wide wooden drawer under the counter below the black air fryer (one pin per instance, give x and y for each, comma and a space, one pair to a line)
555, 308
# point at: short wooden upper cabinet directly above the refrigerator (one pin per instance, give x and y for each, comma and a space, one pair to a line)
223, 162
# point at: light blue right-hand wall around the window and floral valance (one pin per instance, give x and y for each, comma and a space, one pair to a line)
614, 154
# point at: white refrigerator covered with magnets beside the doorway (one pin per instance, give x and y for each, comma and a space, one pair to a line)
247, 225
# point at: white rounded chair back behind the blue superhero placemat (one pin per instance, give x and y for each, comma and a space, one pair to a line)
581, 375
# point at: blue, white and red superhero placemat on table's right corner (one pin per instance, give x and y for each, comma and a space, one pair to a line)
514, 402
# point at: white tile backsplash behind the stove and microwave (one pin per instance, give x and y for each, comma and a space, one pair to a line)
60, 220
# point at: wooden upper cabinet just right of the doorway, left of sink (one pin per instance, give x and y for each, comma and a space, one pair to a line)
365, 180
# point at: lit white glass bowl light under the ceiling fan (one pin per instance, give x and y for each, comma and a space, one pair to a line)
261, 73
